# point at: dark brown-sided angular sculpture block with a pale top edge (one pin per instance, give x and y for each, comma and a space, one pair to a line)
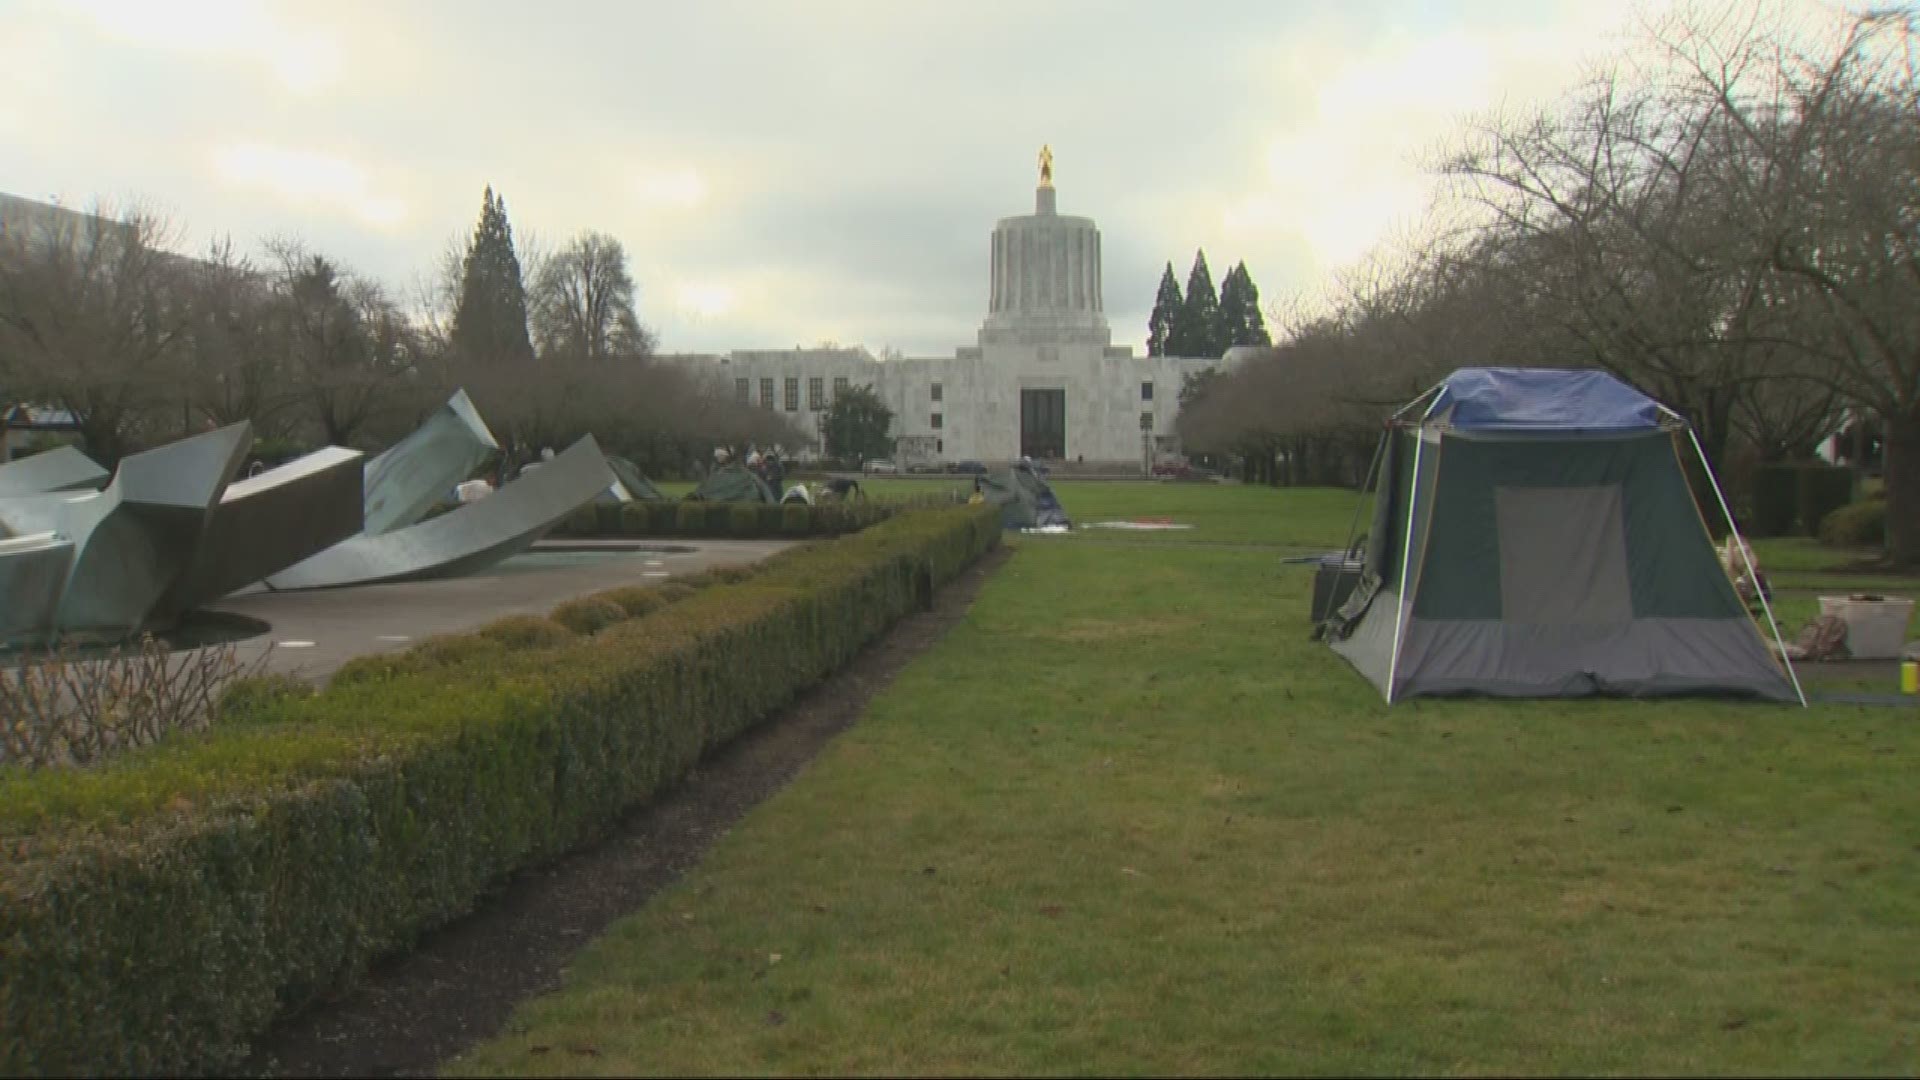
272, 522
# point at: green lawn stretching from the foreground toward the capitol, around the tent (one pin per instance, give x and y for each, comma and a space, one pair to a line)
1130, 820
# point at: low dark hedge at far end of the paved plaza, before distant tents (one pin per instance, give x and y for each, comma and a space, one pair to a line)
723, 520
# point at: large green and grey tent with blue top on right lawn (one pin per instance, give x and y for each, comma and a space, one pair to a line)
1535, 537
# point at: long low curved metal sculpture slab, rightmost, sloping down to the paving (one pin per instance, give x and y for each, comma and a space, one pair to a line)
468, 539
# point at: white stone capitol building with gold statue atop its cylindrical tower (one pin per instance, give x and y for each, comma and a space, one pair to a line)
1042, 381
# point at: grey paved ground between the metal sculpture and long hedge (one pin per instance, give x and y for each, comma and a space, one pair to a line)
316, 631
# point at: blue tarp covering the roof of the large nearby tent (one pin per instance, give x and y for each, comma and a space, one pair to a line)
1543, 399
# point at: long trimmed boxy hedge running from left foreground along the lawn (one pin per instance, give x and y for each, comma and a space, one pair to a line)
160, 912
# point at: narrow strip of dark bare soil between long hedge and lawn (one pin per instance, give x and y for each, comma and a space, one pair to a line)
460, 985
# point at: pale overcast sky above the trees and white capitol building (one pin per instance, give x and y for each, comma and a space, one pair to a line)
780, 172
